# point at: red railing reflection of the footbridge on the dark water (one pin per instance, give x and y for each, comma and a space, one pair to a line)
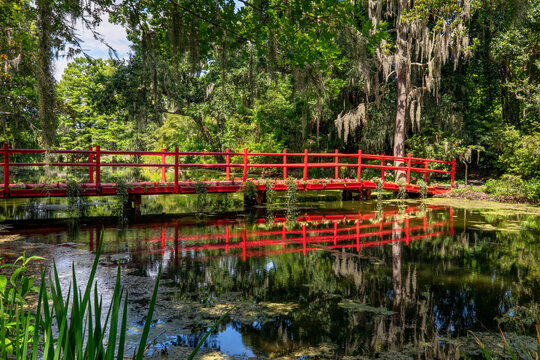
311, 236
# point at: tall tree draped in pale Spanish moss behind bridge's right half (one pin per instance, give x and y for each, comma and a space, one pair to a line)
416, 39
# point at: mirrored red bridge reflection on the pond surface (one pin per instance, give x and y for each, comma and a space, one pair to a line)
263, 237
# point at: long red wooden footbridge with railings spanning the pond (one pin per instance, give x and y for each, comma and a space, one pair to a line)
233, 168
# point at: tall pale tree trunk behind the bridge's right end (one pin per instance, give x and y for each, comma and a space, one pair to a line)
402, 71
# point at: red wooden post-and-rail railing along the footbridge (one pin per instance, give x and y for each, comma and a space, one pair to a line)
281, 161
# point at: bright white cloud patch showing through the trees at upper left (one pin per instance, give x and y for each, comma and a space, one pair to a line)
114, 35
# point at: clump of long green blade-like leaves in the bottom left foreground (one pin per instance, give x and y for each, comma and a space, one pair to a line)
72, 316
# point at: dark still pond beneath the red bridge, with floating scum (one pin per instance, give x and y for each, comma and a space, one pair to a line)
331, 279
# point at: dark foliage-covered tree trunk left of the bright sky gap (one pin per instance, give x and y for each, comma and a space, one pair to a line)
44, 75
